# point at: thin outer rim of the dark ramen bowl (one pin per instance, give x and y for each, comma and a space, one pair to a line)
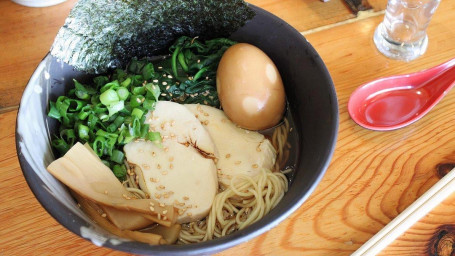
211, 246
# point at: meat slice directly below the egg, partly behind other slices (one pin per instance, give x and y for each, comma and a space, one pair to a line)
240, 151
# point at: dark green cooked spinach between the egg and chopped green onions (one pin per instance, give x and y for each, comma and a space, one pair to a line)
189, 74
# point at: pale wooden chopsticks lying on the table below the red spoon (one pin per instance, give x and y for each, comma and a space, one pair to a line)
417, 210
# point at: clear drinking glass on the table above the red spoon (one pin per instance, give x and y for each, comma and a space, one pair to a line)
402, 35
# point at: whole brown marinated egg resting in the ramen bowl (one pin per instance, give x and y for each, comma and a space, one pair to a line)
250, 88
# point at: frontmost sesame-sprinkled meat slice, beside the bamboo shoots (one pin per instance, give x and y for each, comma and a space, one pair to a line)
176, 174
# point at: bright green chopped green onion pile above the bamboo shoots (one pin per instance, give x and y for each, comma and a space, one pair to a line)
102, 114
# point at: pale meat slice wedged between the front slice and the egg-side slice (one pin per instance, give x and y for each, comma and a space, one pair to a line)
174, 121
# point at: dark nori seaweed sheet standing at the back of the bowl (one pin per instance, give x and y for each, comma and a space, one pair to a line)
105, 34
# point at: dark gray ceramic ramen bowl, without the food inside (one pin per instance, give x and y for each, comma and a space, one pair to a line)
312, 103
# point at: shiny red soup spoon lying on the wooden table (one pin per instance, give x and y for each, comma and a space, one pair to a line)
393, 102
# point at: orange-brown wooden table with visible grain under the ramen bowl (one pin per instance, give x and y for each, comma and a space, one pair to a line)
373, 176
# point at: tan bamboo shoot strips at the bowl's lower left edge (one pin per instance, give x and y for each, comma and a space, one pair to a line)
91, 179
